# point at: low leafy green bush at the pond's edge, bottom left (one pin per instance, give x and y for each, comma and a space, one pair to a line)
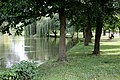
22, 71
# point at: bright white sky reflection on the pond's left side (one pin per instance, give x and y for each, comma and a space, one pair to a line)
11, 50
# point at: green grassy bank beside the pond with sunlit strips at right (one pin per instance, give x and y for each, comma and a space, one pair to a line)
82, 66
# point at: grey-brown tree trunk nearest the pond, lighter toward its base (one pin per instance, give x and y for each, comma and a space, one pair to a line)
62, 46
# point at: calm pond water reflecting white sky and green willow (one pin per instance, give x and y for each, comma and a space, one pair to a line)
15, 49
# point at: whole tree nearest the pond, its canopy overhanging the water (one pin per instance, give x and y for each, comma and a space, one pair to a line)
26, 11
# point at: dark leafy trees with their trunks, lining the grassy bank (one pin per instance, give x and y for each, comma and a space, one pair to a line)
83, 14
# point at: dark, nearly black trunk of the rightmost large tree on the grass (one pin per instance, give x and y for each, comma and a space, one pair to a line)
99, 25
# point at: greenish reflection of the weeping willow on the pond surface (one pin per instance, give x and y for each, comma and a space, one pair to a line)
40, 49
